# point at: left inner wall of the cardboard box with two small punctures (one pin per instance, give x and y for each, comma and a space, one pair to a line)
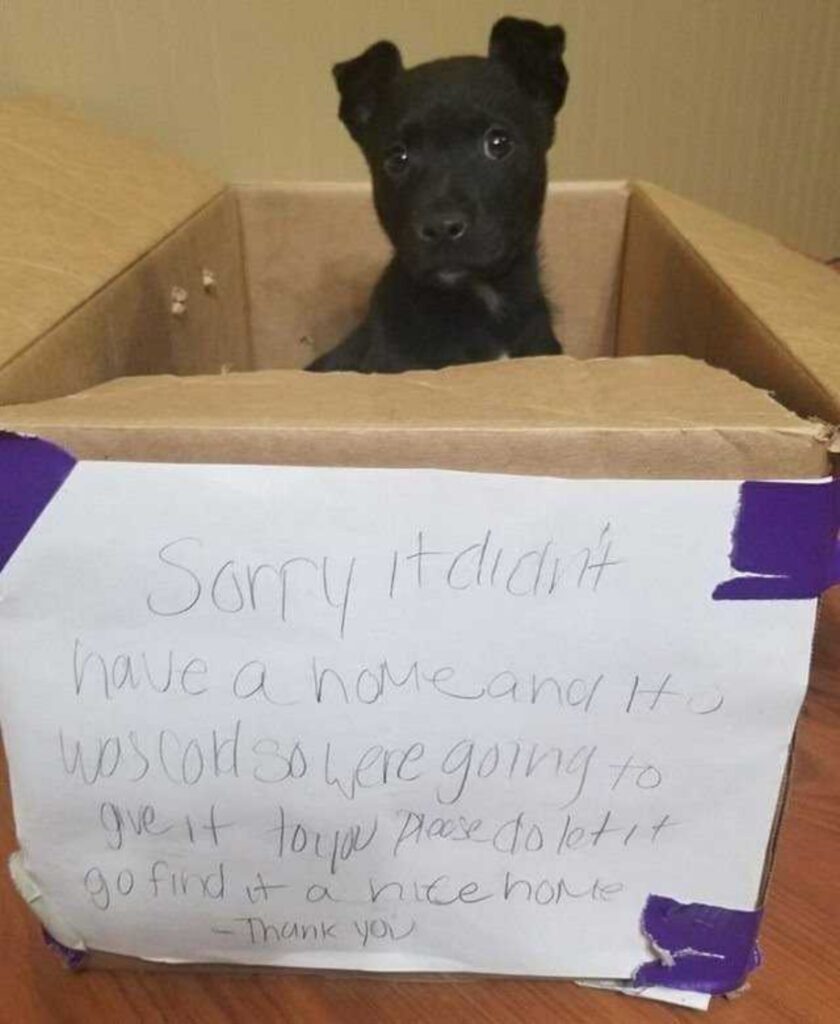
129, 327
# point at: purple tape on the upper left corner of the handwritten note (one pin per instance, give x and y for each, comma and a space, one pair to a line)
31, 473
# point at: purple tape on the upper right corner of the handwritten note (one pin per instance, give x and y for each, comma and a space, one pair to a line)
787, 536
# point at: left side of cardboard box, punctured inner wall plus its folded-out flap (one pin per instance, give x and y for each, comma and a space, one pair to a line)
82, 210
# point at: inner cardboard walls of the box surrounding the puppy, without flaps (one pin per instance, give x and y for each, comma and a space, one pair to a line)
268, 277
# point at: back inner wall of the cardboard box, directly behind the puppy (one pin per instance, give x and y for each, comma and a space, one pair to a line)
308, 241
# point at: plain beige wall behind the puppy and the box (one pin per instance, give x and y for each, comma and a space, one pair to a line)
736, 103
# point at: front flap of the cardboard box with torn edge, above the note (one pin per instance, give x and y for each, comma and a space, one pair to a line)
663, 417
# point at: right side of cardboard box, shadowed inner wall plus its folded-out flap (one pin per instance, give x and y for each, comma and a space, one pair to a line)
701, 284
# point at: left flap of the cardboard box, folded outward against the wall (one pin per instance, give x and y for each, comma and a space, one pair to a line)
78, 205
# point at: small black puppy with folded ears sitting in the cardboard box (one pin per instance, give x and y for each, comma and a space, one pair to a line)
457, 152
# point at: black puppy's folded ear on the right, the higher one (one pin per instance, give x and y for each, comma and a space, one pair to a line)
534, 53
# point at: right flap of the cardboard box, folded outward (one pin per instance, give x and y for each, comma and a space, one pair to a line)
793, 298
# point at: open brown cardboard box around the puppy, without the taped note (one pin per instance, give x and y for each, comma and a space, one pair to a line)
151, 314
